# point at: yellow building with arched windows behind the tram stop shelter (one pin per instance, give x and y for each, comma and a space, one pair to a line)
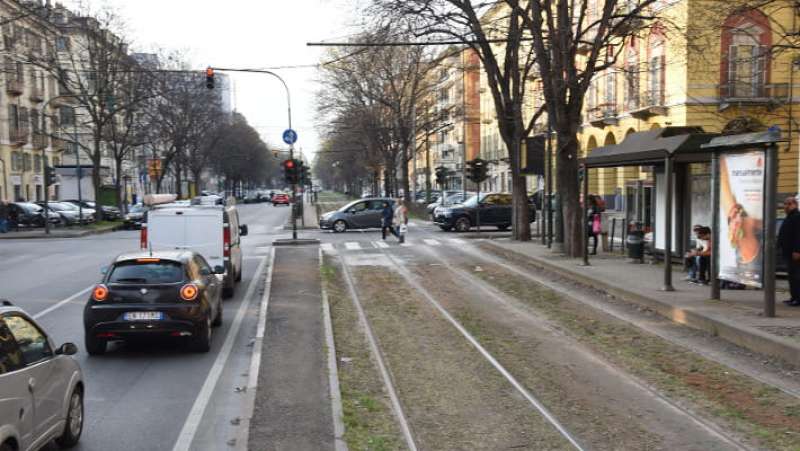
703, 63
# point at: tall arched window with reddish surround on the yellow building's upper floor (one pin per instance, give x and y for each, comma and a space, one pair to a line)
746, 44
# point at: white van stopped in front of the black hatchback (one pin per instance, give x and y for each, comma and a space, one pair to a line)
210, 229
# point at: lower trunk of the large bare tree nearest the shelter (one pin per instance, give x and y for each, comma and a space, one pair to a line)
568, 189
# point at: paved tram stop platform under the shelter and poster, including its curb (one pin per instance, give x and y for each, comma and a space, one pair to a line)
736, 318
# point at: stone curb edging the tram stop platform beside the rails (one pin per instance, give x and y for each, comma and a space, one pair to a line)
746, 337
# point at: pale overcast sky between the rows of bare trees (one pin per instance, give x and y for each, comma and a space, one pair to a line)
248, 34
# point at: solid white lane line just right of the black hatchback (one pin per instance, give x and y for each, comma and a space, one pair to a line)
189, 429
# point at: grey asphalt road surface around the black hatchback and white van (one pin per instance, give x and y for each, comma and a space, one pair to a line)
139, 396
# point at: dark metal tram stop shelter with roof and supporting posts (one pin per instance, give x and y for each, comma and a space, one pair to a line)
669, 151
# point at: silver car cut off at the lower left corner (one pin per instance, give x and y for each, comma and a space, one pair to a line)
41, 386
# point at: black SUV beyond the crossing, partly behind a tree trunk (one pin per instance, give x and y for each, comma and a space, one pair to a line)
495, 210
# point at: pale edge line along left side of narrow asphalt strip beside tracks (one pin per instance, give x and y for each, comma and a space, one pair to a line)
255, 359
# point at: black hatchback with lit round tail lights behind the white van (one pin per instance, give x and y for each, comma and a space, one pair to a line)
168, 294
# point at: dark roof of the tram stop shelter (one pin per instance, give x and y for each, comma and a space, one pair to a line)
652, 146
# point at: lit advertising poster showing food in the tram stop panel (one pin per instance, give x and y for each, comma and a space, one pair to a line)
741, 213
